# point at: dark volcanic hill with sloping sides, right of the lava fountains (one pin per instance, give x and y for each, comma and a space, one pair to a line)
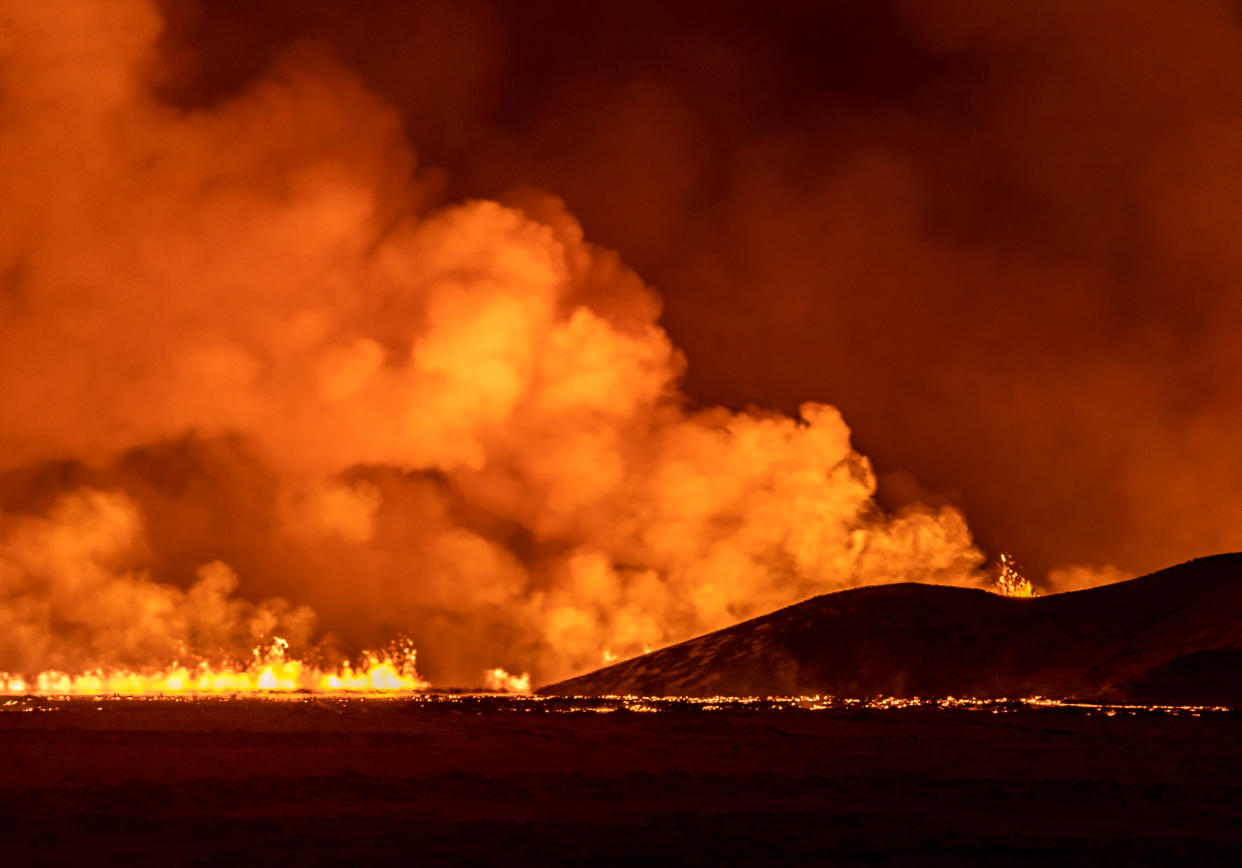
1174, 636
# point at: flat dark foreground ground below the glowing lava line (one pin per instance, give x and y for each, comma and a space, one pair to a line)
526, 783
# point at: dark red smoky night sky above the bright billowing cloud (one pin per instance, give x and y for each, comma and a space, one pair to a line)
1000, 238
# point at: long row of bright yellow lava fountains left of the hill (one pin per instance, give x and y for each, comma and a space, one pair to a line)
270, 672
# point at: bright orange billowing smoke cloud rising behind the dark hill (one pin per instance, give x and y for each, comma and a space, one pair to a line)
242, 364
